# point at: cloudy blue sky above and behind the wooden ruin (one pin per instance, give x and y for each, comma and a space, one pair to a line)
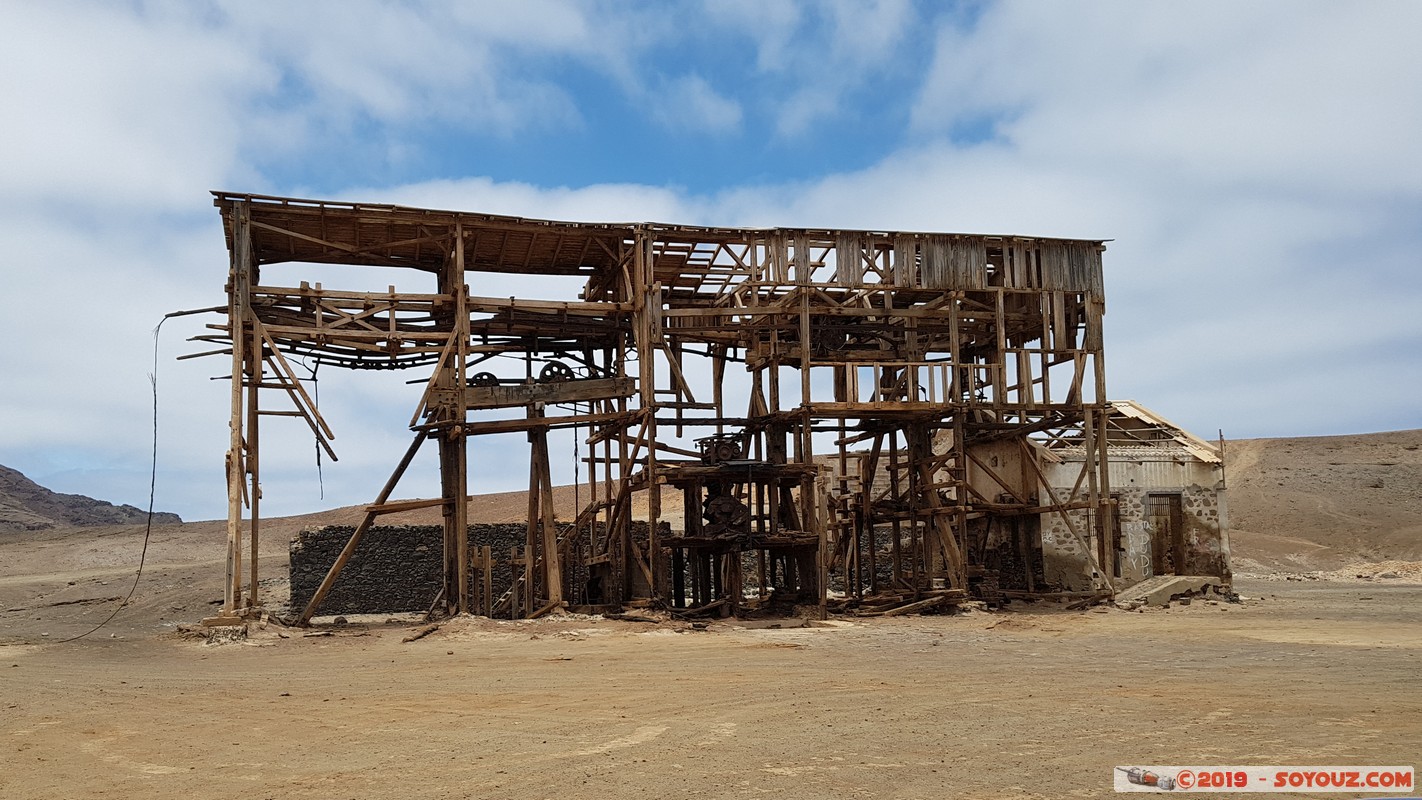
1258, 167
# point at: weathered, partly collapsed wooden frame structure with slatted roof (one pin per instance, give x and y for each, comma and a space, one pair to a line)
814, 396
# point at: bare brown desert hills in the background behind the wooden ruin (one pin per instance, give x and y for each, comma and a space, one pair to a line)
1308, 505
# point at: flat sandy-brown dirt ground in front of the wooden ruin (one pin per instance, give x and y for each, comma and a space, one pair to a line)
1026, 703
